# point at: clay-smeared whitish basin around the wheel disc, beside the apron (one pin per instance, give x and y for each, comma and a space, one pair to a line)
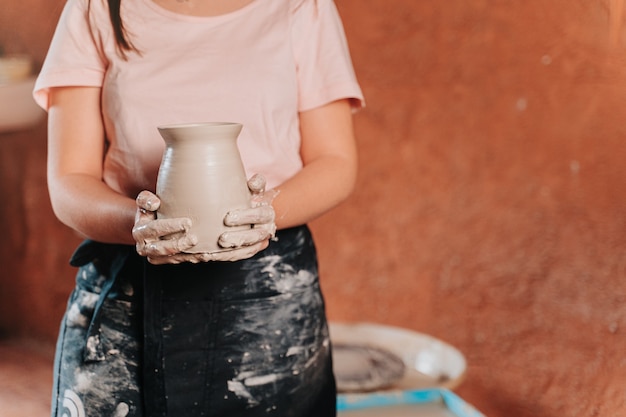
429, 362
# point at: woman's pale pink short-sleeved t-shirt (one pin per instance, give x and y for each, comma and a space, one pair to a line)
258, 66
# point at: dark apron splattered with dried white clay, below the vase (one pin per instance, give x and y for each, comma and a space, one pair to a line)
245, 338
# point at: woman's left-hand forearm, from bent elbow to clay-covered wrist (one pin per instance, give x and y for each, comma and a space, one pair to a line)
94, 210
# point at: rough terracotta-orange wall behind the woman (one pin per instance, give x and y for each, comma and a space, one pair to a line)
491, 205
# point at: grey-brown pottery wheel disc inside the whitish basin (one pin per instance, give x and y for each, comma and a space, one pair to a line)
365, 368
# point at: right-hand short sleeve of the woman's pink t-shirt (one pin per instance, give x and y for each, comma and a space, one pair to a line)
324, 65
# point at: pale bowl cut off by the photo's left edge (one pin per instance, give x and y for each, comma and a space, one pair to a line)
18, 109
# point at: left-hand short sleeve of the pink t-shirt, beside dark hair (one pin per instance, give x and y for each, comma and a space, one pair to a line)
73, 58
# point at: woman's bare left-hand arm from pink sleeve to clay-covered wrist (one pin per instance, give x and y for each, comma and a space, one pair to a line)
79, 197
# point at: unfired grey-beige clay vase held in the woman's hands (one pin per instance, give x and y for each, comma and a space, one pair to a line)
202, 177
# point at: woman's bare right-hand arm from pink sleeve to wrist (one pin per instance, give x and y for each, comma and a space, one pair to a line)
329, 156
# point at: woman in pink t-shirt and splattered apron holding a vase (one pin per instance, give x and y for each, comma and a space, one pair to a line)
150, 330
